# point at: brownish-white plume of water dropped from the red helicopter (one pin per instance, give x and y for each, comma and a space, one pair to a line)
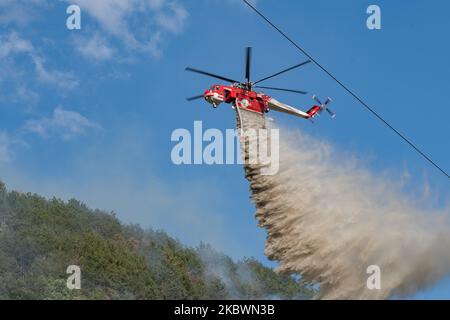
329, 220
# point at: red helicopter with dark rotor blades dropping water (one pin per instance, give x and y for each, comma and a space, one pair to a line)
242, 95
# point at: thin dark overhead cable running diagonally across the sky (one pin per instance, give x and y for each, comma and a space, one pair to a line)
349, 91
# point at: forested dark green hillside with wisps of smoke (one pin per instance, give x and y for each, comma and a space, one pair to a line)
40, 238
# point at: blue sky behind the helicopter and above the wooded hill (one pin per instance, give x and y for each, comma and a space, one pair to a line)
89, 113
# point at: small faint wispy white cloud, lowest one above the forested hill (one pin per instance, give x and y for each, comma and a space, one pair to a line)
63, 123
